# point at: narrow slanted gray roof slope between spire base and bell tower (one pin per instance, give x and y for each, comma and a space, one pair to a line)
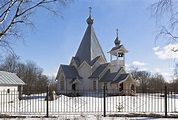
98, 71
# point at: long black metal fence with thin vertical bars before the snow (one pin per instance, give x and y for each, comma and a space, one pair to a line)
105, 102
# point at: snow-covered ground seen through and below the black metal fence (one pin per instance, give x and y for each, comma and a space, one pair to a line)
87, 107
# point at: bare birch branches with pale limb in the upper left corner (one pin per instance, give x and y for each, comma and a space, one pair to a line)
16, 14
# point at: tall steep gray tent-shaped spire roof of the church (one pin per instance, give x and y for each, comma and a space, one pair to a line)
89, 47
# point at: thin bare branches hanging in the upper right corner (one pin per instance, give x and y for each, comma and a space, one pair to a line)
166, 14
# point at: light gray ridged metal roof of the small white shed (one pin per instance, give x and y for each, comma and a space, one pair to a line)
7, 78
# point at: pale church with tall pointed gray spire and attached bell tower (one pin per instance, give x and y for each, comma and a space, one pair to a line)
89, 69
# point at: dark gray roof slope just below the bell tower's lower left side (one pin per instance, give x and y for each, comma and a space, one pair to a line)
108, 77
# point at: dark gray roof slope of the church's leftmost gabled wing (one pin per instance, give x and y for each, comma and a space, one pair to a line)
70, 71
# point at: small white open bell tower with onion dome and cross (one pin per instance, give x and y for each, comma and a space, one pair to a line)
117, 55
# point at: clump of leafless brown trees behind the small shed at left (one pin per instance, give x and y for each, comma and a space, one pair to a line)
29, 72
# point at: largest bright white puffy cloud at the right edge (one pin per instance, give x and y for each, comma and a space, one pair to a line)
167, 52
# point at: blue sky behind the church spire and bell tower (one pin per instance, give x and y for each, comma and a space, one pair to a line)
54, 42
